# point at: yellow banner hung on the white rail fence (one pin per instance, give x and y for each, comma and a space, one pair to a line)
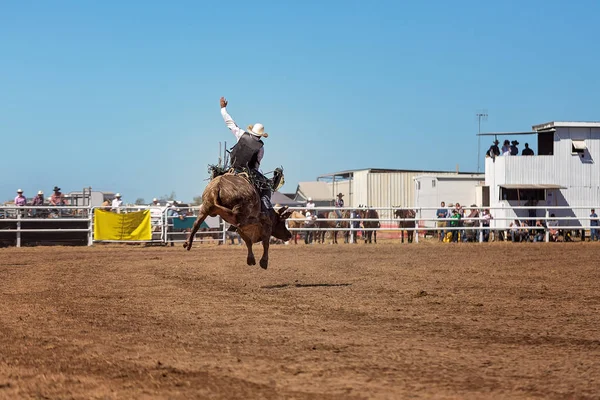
131, 226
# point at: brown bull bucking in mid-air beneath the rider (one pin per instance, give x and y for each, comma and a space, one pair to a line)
235, 200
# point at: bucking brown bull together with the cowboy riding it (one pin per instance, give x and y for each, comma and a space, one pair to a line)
246, 206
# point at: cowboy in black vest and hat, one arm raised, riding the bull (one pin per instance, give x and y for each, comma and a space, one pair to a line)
248, 153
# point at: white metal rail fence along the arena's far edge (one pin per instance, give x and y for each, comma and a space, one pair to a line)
19, 223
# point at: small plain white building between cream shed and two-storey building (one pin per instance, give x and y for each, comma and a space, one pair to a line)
431, 190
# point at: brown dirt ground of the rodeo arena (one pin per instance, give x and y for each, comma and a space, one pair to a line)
428, 320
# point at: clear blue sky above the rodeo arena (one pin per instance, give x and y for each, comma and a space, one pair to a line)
123, 95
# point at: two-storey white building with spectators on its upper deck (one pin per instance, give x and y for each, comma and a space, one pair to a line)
565, 172
